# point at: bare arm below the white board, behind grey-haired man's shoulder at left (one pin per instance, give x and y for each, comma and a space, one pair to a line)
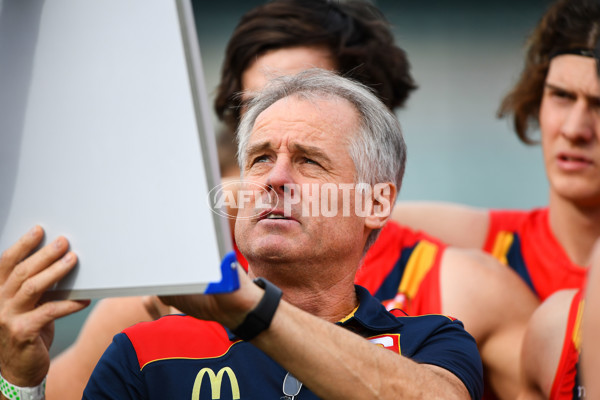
70, 371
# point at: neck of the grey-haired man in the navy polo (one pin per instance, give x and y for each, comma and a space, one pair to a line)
315, 290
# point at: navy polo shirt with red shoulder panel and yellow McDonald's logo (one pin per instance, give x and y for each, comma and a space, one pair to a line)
180, 357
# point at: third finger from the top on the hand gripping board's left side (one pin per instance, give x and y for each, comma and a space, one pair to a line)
30, 291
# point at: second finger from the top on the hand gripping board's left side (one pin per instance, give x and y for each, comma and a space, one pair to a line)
37, 262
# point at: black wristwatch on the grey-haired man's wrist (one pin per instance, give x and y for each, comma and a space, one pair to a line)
261, 316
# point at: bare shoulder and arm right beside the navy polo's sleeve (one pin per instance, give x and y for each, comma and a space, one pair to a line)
495, 306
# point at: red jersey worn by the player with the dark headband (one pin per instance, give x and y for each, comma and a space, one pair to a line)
524, 241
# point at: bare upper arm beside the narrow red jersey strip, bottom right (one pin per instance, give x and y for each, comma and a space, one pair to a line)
542, 345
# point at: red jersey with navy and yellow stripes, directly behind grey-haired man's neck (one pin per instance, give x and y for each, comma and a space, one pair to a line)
402, 269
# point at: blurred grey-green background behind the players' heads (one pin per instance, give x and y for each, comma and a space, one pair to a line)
465, 55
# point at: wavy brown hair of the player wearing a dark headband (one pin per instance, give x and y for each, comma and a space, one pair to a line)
568, 24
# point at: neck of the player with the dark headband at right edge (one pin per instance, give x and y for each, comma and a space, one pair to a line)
576, 228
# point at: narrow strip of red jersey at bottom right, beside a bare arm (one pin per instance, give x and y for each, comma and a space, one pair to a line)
566, 385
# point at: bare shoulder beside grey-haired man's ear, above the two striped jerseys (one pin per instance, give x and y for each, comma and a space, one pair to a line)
456, 225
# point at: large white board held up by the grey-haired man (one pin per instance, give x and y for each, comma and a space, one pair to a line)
105, 137
